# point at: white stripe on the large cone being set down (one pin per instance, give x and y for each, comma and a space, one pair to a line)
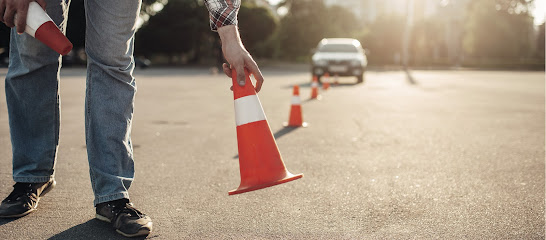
248, 109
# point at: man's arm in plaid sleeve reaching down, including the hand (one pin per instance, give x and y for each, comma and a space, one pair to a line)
223, 19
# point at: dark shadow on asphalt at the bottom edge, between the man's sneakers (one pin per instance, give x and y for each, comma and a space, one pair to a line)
92, 229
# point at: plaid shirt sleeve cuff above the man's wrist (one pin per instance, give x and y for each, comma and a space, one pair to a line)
222, 12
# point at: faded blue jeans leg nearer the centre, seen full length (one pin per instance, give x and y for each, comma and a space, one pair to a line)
110, 94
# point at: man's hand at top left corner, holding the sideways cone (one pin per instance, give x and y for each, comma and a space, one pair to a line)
8, 9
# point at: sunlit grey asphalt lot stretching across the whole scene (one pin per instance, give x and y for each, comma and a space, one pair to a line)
457, 155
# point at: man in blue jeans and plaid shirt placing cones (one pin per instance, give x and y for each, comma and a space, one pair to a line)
32, 94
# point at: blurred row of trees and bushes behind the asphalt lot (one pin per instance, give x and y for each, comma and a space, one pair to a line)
489, 29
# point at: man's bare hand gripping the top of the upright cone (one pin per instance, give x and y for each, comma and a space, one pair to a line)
238, 57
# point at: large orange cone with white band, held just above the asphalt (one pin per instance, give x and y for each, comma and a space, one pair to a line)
260, 161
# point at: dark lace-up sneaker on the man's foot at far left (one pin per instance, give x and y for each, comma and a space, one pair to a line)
24, 198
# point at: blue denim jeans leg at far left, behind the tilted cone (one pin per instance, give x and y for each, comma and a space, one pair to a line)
32, 96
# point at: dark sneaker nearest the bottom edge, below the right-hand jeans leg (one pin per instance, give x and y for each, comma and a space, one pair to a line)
126, 219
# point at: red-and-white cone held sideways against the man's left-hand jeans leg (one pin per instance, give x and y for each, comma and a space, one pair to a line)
41, 27
